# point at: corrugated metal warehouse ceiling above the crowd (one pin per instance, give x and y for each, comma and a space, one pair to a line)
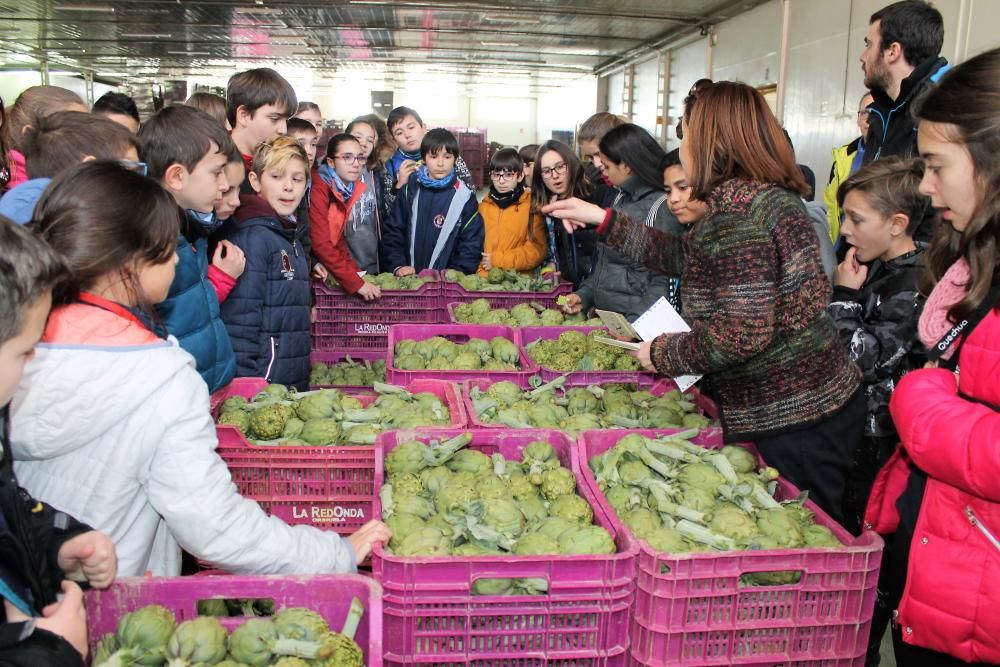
549, 40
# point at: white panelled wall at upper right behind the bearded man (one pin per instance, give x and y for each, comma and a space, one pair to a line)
824, 80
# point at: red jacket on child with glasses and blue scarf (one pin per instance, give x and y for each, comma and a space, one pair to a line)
327, 216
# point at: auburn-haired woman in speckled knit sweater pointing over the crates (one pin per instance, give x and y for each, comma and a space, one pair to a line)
754, 294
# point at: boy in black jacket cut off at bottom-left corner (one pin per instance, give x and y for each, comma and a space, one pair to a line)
43, 551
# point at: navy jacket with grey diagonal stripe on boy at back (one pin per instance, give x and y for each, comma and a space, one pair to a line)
462, 250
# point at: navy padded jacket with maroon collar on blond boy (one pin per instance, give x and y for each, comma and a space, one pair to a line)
267, 313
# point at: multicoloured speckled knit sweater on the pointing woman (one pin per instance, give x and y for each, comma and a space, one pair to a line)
755, 296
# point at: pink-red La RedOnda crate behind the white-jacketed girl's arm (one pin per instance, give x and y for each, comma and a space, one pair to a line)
327, 487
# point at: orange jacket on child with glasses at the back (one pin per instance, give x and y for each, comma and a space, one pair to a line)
507, 240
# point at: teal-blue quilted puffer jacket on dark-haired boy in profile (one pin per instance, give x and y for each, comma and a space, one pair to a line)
191, 310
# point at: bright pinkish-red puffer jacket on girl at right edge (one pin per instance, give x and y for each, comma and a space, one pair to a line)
951, 602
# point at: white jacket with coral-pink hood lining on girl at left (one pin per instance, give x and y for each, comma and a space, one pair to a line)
130, 450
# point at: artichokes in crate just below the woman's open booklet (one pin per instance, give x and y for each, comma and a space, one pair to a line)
577, 351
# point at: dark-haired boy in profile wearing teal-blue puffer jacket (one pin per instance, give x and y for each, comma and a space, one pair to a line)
186, 151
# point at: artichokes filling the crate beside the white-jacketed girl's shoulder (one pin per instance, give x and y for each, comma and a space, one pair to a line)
324, 417
